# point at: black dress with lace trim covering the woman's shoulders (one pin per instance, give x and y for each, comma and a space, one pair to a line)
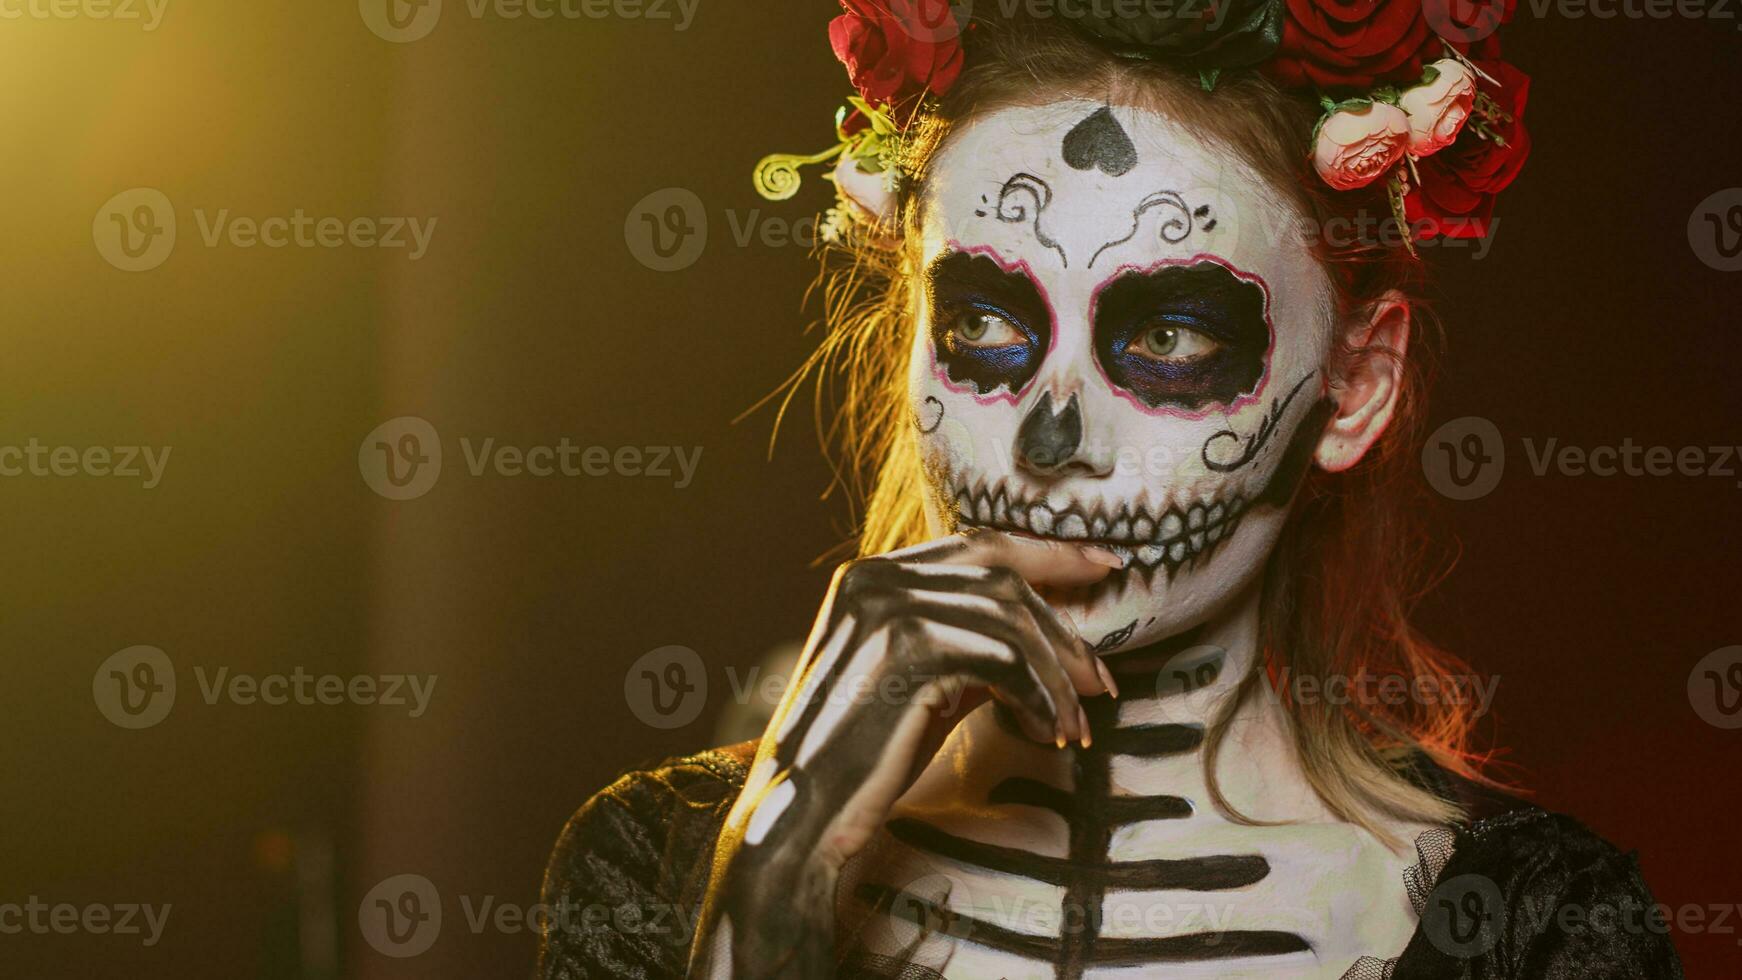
1518, 894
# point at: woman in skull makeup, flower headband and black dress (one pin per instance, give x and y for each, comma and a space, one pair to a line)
1098, 697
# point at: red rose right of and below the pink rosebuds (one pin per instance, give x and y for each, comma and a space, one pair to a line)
1459, 184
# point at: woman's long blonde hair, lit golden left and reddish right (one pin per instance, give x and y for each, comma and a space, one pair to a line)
1353, 560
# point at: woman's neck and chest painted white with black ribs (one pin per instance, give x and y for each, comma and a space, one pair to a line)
1112, 863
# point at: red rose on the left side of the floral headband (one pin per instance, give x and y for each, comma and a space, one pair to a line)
896, 51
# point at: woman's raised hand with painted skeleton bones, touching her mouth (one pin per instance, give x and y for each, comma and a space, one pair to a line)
905, 647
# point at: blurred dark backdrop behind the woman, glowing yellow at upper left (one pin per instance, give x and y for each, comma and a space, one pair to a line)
530, 321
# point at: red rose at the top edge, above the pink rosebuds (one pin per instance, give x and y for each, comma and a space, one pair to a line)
1353, 44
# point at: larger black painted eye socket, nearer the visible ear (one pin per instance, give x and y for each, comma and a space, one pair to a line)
1187, 337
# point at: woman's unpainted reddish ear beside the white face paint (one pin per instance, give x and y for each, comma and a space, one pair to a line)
1368, 387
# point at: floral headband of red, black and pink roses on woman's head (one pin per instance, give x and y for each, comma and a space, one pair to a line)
1414, 91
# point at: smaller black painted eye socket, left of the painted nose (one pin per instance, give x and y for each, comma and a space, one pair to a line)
990, 326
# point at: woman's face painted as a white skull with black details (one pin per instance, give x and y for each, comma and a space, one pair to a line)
1111, 349
